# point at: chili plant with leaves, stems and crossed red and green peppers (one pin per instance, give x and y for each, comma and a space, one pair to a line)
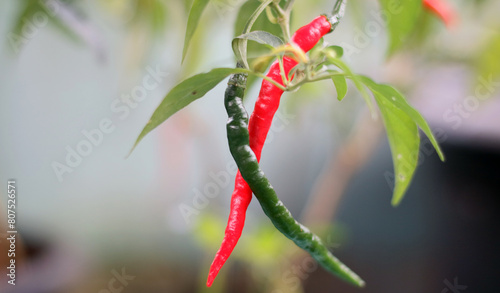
292, 60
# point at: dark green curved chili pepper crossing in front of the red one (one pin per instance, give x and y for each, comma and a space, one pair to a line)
239, 145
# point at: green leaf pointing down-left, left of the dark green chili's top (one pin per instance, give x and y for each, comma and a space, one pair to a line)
183, 94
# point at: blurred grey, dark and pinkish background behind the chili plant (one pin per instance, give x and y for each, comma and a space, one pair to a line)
79, 80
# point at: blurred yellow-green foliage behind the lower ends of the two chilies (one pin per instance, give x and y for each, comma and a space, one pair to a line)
262, 249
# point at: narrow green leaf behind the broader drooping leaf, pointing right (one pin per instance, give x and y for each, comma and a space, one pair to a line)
399, 101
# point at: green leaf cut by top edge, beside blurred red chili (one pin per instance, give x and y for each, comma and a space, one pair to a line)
401, 17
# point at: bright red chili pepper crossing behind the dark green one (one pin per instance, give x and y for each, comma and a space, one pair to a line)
259, 124
